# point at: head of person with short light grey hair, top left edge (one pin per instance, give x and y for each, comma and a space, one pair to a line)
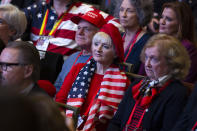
13, 23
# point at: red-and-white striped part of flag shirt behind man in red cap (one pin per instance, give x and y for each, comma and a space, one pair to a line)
63, 40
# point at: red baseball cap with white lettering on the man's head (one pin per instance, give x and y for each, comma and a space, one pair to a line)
93, 17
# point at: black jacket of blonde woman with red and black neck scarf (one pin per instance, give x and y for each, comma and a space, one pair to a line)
162, 113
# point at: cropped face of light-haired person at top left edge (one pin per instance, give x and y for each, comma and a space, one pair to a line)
5, 31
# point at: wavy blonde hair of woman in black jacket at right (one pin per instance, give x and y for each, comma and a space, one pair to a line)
174, 53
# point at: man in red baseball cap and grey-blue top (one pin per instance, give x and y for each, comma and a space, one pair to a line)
88, 25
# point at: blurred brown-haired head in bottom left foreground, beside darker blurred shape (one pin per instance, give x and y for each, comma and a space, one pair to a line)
49, 115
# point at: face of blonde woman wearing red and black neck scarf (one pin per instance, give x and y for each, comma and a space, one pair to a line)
155, 63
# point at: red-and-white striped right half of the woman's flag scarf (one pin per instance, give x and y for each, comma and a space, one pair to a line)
112, 89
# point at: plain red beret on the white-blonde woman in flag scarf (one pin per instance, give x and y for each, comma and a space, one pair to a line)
115, 35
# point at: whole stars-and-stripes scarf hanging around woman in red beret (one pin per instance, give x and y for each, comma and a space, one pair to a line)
106, 102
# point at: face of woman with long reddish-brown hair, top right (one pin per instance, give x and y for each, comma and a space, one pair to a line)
168, 23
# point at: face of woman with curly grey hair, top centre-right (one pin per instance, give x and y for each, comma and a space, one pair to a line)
127, 14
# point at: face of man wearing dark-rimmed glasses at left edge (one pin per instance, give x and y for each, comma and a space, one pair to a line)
11, 76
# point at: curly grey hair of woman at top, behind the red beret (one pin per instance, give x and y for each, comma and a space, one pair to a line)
144, 10
